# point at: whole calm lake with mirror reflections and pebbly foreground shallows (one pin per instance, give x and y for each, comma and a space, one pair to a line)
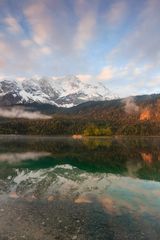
92, 188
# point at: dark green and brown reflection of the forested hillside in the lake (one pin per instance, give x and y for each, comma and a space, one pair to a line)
135, 157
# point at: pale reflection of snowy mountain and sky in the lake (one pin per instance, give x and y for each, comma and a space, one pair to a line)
63, 182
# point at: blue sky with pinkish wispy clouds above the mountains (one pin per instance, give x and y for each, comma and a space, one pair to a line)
116, 42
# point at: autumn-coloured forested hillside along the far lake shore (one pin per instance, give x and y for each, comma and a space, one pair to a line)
130, 116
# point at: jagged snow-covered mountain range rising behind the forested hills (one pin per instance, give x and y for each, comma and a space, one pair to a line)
62, 92
